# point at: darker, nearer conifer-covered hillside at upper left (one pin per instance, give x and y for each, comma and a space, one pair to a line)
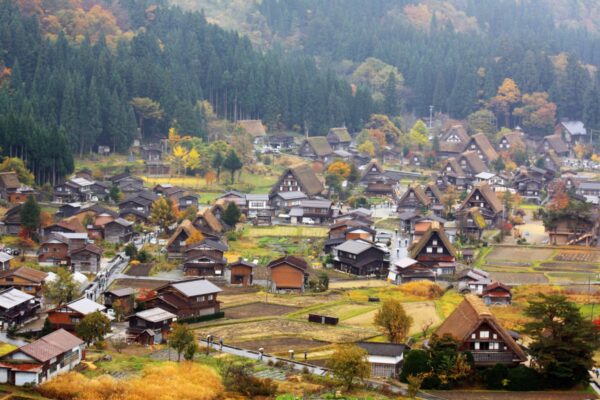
79, 75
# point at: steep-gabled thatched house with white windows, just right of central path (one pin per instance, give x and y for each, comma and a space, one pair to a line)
434, 250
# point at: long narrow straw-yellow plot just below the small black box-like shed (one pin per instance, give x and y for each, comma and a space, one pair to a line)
284, 328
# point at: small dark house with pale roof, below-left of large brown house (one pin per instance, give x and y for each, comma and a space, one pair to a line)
151, 326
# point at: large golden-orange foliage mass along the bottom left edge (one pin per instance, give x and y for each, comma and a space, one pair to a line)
168, 381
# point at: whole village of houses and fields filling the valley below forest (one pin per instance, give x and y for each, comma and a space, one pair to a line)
304, 248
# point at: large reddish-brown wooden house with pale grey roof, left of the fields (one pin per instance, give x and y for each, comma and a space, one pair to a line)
190, 298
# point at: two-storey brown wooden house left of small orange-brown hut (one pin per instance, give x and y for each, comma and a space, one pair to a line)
205, 258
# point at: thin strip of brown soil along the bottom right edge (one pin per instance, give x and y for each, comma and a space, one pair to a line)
475, 395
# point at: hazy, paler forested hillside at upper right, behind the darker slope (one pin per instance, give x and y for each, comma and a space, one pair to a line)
452, 54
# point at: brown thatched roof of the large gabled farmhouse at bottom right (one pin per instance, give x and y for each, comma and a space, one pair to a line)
469, 315
